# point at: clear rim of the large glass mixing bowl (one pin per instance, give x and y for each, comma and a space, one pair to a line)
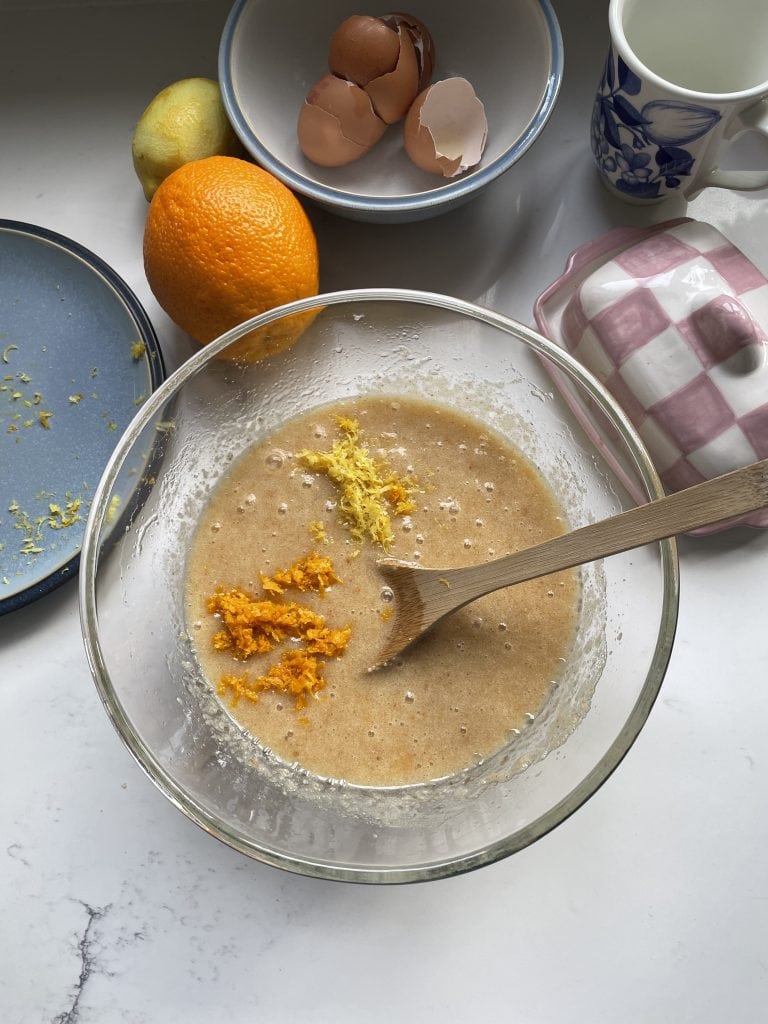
371, 874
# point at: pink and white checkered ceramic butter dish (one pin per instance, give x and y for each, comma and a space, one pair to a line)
675, 325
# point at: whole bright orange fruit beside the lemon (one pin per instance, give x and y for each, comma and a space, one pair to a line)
224, 241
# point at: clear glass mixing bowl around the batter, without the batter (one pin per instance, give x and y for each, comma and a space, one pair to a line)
133, 581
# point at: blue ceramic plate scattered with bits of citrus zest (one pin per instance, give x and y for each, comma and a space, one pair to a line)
78, 357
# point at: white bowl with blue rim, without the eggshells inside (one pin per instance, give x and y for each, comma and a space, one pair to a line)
271, 55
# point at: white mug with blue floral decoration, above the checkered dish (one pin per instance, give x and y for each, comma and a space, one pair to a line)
681, 78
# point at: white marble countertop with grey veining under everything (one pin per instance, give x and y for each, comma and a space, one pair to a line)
650, 905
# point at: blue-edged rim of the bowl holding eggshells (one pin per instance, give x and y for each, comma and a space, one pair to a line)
392, 204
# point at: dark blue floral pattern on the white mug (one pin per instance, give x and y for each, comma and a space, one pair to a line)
643, 150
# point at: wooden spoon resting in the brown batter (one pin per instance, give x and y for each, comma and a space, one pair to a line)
422, 596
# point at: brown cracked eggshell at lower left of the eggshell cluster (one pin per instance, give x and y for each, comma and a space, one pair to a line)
337, 123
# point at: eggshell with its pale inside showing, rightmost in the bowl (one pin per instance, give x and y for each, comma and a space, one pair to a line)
446, 129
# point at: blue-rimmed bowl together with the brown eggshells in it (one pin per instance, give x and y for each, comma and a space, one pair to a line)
392, 117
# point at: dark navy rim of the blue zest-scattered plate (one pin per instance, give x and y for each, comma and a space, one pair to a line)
153, 357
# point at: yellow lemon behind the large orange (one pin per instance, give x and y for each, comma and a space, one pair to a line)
186, 121
